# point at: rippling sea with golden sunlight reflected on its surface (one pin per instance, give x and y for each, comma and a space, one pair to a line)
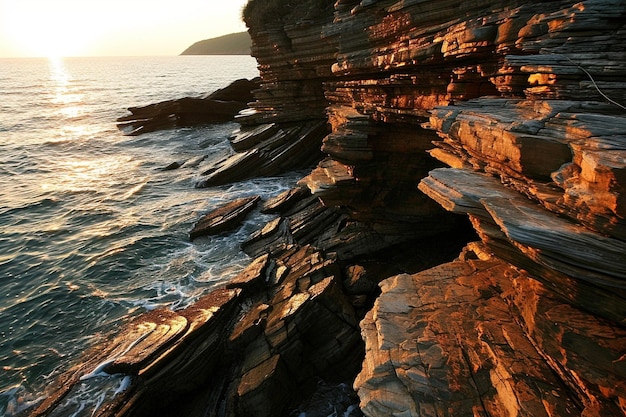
93, 231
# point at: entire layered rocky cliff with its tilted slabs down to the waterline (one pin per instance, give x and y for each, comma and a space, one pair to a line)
465, 218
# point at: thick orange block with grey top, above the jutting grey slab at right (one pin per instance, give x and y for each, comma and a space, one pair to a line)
566, 155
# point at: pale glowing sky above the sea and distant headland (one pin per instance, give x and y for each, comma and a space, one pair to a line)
43, 28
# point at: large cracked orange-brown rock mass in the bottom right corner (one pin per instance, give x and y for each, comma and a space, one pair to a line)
447, 342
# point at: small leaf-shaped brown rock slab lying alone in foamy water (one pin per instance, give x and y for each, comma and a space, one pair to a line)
224, 217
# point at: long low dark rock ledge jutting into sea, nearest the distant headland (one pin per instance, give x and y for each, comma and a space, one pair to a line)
220, 106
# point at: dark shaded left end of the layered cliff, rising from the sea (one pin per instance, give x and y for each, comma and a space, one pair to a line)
285, 124
